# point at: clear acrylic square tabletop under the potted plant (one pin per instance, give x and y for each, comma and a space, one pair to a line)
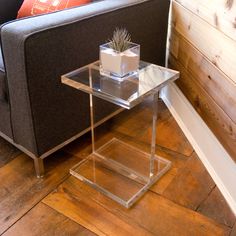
126, 93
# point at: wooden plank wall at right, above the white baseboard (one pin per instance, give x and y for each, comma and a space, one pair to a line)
202, 47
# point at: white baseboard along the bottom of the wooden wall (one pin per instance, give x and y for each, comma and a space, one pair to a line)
217, 161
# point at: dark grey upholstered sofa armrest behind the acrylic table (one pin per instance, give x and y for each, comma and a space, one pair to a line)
38, 50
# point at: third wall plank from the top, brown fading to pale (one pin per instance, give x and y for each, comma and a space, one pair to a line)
209, 77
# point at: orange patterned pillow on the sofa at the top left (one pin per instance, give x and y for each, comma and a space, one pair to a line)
36, 7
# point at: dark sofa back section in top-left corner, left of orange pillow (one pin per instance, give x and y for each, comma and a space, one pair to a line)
9, 9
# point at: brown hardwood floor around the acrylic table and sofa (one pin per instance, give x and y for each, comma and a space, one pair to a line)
184, 202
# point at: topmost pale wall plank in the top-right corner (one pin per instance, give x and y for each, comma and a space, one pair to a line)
218, 13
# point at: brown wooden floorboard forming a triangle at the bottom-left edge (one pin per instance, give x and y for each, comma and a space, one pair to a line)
43, 220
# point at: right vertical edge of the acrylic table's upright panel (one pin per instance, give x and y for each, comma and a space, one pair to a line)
153, 141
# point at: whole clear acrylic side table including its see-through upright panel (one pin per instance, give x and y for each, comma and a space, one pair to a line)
123, 163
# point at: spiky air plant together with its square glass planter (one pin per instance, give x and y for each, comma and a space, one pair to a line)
119, 58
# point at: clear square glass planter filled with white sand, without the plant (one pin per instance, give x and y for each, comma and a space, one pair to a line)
119, 65
